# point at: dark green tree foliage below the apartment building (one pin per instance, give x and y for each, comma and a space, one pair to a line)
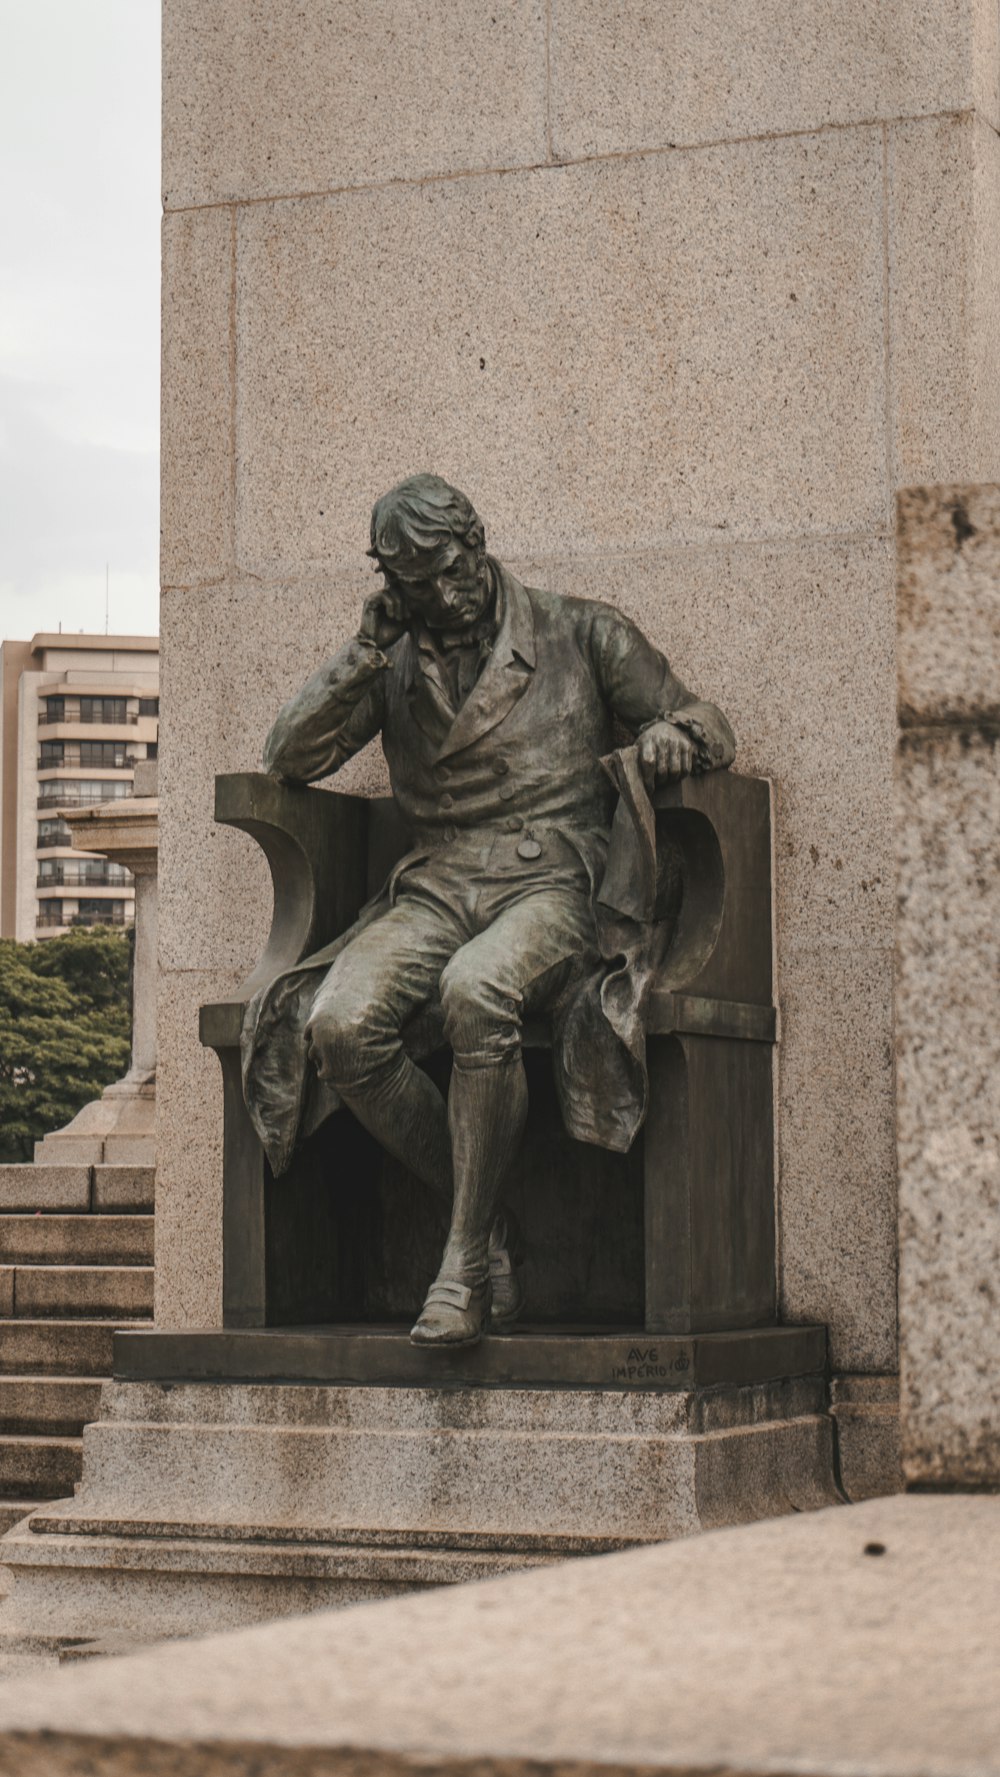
65, 1030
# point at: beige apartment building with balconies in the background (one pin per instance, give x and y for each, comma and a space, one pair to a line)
77, 713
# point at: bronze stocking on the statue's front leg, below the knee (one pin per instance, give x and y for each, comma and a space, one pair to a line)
488, 1108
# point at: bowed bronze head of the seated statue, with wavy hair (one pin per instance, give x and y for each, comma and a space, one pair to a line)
429, 543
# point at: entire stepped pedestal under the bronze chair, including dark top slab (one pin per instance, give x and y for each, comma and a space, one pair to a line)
216, 1504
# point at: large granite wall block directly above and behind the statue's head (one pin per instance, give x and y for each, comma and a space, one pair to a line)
562, 392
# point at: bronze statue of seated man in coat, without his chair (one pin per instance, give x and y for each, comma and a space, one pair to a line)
496, 705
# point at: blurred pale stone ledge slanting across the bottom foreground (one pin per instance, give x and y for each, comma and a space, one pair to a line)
850, 1641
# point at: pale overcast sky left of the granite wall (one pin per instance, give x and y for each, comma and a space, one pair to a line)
79, 314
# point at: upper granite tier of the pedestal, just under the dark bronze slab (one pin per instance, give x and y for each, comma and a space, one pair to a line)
585, 1463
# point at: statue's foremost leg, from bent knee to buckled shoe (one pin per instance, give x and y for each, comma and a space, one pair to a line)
521, 959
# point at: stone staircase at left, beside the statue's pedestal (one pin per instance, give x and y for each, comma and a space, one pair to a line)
75, 1264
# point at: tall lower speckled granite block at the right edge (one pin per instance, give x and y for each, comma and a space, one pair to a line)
949, 1106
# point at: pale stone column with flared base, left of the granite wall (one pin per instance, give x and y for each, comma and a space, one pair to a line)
120, 1128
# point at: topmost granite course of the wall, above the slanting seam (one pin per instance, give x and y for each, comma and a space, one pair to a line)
283, 99
